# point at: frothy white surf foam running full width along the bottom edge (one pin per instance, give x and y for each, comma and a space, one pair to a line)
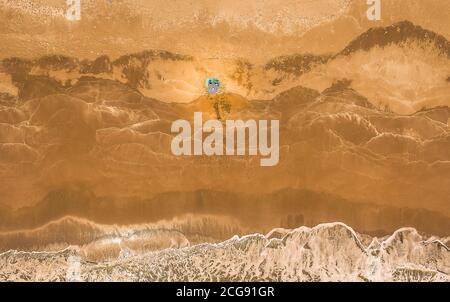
327, 252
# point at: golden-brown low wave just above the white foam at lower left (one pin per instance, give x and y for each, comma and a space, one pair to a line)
101, 242
